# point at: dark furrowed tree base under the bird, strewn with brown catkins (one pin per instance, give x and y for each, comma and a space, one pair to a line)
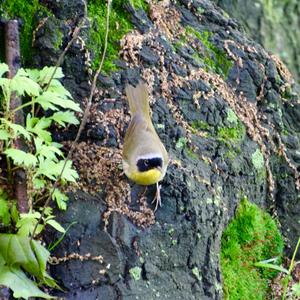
196, 113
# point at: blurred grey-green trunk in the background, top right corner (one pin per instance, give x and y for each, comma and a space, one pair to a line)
270, 23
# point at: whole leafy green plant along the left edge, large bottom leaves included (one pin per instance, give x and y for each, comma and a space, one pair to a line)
43, 162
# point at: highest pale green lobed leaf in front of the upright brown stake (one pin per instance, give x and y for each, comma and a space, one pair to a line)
22, 84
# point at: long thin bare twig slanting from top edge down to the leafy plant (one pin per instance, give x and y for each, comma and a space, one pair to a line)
83, 121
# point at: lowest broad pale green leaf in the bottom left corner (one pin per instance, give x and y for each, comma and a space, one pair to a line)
22, 286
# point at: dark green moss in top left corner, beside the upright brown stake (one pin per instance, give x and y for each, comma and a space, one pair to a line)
26, 11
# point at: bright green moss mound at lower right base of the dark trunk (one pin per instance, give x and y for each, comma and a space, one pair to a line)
250, 237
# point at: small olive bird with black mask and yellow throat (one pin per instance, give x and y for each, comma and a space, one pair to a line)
145, 158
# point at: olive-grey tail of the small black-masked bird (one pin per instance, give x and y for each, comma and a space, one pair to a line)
138, 99
